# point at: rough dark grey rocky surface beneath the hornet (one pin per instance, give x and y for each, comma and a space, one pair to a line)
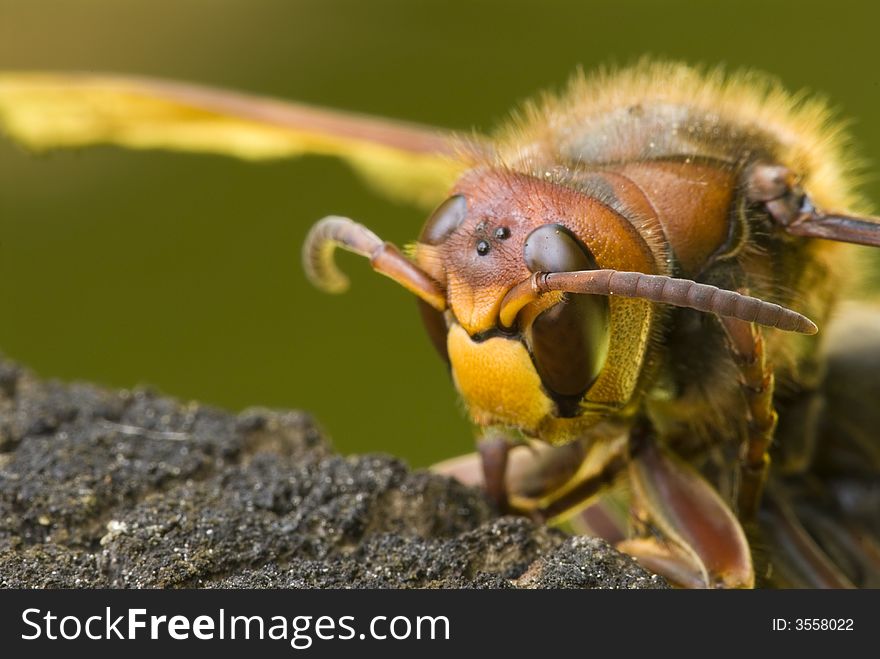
130, 489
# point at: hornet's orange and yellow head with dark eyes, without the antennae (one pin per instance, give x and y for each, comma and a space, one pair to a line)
567, 360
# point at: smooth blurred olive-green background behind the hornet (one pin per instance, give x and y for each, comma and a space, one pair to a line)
182, 271
